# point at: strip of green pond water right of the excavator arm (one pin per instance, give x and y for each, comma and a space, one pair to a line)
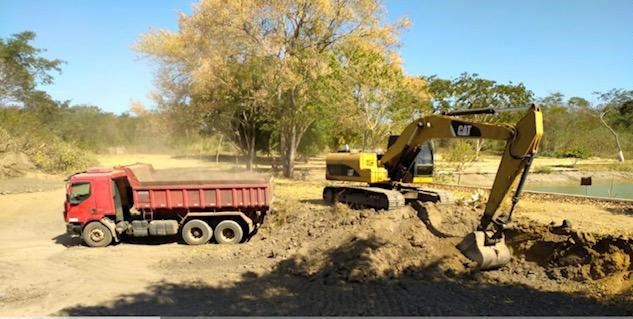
616, 190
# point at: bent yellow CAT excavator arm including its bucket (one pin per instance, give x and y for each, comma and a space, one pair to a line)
485, 245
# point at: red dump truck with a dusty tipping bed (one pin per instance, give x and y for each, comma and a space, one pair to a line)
104, 205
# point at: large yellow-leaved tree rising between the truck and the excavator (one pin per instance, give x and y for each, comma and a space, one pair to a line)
290, 46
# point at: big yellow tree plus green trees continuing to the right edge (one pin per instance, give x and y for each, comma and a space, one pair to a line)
304, 77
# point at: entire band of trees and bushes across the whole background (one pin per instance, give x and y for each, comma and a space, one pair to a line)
285, 82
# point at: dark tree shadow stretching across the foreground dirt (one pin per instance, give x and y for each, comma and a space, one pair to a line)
339, 287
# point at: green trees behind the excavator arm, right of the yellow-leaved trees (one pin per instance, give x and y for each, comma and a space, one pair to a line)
573, 127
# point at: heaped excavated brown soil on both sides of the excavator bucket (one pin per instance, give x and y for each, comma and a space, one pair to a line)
421, 244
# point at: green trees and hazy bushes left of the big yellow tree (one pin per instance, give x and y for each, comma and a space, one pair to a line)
54, 135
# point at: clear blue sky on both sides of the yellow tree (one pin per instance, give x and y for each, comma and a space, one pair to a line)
572, 46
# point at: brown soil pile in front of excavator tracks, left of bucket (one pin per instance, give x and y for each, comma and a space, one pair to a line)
384, 245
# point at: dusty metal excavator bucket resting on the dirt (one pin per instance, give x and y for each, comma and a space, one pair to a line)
492, 256
